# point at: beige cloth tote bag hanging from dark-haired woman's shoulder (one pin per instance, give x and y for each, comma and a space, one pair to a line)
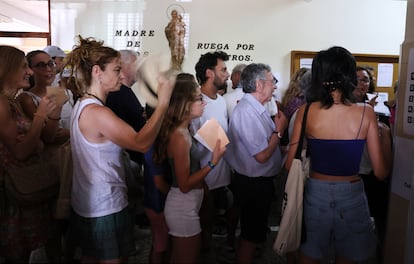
289, 236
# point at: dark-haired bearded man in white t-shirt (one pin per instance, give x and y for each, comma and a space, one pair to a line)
212, 75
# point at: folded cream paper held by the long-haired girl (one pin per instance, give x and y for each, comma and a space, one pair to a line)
209, 133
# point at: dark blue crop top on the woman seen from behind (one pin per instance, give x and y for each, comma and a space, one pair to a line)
337, 157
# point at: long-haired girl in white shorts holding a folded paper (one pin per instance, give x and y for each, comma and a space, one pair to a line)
175, 144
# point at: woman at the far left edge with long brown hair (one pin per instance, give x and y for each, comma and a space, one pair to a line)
22, 229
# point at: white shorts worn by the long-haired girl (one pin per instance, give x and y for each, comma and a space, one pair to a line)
181, 212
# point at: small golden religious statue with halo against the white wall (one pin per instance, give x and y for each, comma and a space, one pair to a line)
175, 33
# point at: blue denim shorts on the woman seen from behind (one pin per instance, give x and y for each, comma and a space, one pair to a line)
336, 214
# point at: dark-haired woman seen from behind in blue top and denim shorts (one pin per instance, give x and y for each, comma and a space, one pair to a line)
335, 206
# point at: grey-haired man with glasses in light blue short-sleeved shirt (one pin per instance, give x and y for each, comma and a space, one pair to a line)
255, 155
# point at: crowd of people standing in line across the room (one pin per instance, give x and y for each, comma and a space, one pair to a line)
123, 150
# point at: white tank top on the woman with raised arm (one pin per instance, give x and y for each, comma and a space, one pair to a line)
98, 186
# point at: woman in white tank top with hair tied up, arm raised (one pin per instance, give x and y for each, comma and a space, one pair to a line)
101, 224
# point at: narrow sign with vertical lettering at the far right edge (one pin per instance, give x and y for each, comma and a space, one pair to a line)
408, 116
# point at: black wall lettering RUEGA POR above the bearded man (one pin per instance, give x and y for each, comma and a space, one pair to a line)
239, 48
